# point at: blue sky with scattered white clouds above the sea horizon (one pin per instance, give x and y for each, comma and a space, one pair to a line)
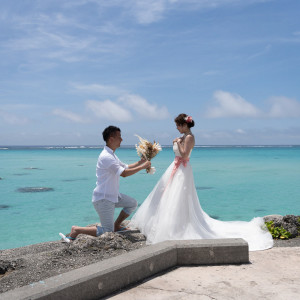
70, 68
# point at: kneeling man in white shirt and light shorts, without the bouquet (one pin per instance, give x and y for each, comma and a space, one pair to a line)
106, 195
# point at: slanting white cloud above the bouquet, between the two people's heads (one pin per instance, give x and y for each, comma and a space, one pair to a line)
144, 108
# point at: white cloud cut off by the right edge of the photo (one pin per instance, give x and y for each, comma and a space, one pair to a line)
282, 107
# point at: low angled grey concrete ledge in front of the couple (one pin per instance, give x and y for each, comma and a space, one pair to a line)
103, 278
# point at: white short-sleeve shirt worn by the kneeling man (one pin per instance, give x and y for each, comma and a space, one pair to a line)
108, 171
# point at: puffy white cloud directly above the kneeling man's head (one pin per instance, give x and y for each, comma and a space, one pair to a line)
109, 110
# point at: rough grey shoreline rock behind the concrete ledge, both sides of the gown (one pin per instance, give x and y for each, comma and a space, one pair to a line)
34, 263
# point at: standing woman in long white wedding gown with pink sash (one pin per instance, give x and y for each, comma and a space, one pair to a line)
172, 210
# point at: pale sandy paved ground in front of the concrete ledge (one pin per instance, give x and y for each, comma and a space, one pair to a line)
271, 274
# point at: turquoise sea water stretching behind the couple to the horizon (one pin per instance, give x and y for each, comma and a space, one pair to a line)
46, 190
